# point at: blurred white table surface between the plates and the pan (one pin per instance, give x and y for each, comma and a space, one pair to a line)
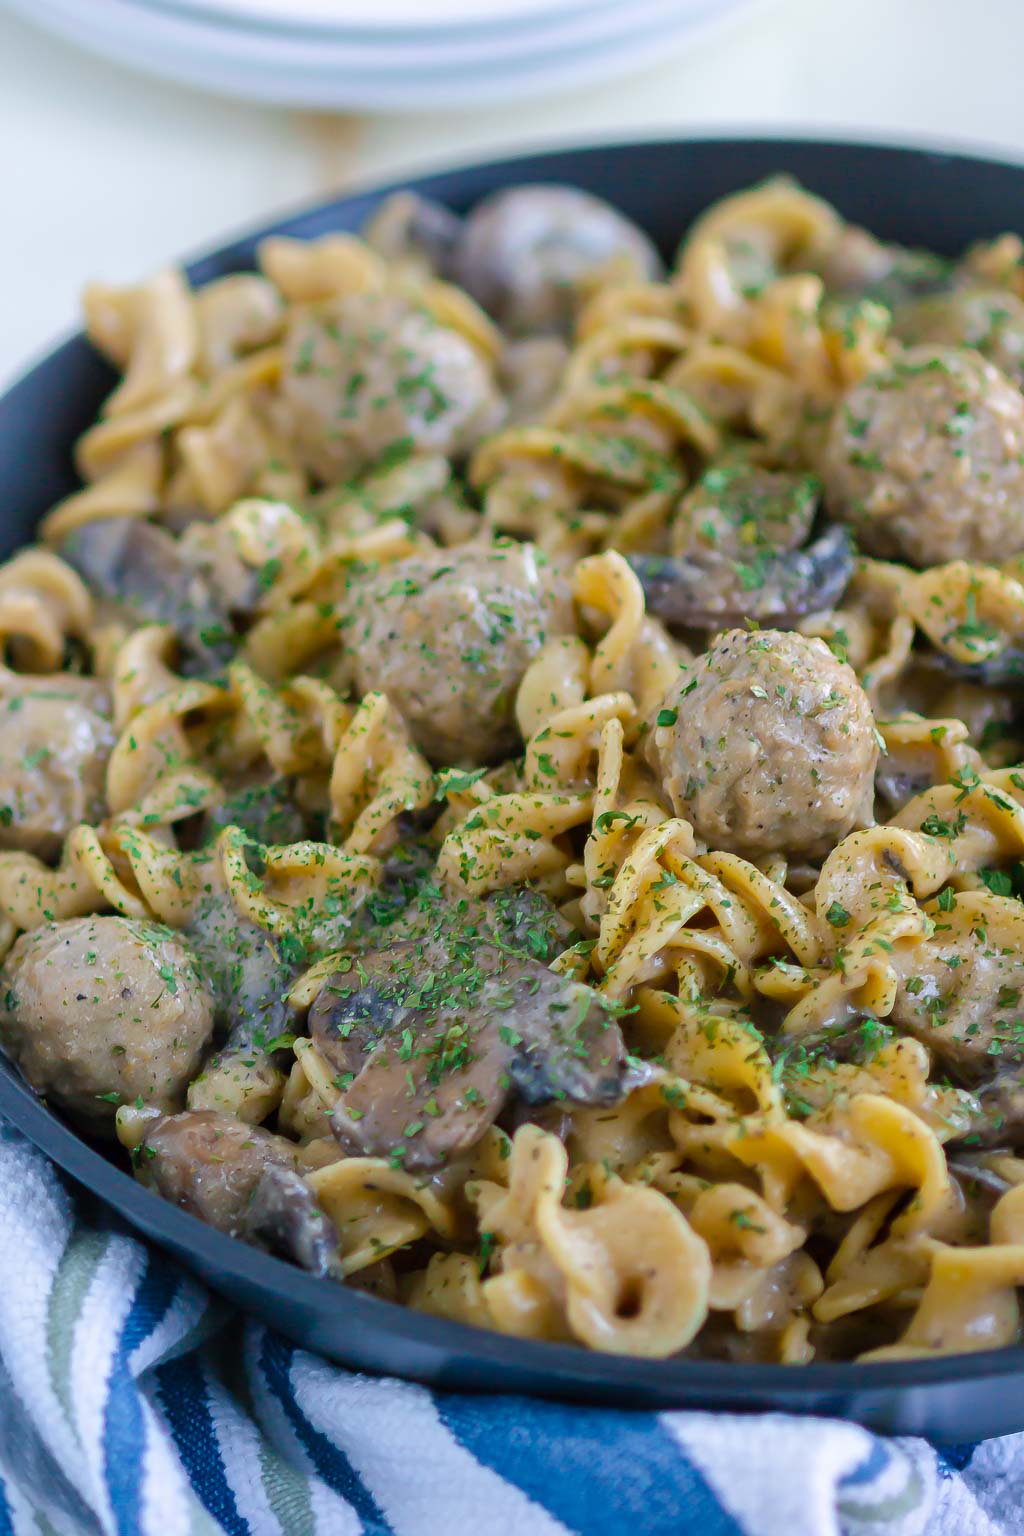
107, 174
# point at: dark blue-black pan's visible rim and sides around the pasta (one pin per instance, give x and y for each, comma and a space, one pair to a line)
928, 199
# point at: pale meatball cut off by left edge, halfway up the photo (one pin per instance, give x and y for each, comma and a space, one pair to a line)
55, 749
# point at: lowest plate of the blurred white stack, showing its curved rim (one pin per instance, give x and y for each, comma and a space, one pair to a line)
314, 74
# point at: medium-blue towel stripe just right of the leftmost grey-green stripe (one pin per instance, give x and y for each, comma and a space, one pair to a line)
125, 1425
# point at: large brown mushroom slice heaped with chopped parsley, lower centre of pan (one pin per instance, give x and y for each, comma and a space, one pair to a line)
429, 1056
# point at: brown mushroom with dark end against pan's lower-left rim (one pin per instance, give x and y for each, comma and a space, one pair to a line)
239, 1179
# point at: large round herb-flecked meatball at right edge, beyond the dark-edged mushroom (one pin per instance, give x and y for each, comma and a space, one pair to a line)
927, 460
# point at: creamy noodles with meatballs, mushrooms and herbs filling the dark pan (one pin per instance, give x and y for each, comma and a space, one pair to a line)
533, 681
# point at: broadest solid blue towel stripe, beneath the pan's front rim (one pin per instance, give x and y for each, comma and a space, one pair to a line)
593, 1469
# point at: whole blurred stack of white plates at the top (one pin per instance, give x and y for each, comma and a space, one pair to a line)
380, 55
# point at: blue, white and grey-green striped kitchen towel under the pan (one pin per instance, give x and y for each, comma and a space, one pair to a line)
134, 1403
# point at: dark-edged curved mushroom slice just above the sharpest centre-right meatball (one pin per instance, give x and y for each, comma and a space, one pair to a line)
773, 589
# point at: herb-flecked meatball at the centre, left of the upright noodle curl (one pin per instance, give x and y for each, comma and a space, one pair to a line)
449, 637
